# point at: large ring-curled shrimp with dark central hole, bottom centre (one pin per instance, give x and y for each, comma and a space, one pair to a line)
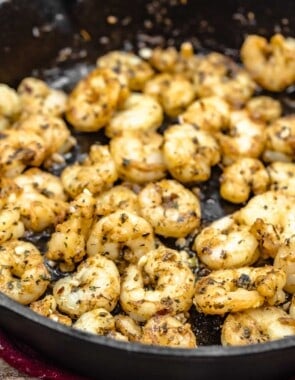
170, 280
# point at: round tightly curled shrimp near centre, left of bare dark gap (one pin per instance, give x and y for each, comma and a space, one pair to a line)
171, 209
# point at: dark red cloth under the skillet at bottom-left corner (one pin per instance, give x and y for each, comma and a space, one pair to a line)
23, 358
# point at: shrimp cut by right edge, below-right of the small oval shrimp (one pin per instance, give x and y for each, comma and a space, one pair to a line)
280, 140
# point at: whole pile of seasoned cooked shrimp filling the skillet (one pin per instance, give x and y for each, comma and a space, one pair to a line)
171, 117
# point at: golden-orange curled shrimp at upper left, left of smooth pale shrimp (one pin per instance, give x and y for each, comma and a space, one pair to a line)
94, 100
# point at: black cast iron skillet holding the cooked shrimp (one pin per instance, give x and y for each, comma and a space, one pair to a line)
58, 41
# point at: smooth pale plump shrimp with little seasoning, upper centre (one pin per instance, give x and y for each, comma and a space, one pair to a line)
139, 112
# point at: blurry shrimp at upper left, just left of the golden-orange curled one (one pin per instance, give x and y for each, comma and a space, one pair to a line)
38, 98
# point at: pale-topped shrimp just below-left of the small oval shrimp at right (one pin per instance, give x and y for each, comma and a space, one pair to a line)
243, 137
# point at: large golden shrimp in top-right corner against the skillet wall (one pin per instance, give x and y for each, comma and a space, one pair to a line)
270, 63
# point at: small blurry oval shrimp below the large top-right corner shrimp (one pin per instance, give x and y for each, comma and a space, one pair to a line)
264, 108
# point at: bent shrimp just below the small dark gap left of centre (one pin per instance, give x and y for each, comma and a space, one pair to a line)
96, 173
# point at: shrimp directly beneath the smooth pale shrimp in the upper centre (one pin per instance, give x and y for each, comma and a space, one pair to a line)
138, 156
